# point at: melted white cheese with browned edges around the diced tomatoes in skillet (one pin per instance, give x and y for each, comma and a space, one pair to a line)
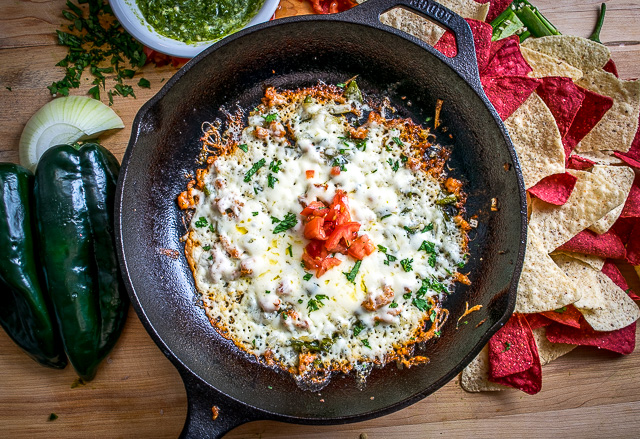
246, 237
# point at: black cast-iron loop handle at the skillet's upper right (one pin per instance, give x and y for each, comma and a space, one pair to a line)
464, 62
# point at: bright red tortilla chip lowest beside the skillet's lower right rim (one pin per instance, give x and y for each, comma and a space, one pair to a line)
509, 350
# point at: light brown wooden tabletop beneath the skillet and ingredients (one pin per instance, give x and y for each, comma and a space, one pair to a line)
138, 394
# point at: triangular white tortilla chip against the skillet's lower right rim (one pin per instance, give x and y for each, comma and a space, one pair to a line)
543, 286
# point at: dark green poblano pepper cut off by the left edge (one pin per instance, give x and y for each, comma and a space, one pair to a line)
24, 308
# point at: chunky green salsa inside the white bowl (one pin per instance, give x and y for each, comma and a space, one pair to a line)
193, 21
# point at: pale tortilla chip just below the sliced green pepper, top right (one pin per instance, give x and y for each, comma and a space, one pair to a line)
579, 52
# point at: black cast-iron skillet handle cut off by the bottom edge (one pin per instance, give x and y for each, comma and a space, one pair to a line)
201, 399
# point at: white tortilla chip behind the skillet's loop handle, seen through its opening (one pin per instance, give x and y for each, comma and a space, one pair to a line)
426, 30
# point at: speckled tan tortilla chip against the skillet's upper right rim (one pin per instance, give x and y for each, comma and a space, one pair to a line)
537, 140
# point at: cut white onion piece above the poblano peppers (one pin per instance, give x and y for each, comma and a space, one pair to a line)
64, 120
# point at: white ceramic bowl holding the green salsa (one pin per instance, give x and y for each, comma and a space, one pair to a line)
129, 15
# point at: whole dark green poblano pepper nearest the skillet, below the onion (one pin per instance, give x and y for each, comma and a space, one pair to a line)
74, 193
